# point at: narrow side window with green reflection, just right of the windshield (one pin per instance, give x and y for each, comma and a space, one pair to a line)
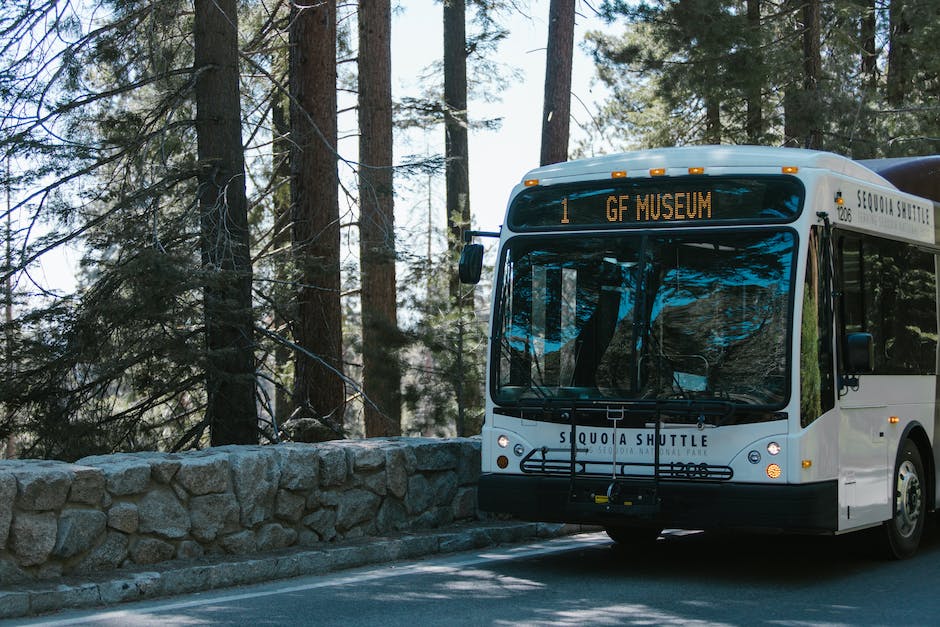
816, 362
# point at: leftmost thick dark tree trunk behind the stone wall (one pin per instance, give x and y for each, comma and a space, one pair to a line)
223, 208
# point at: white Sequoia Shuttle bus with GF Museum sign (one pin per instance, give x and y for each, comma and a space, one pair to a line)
715, 337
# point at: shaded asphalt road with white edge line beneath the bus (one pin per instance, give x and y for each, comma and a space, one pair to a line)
685, 579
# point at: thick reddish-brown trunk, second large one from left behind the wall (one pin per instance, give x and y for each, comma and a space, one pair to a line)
319, 390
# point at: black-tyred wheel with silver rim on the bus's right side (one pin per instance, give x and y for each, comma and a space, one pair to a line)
904, 530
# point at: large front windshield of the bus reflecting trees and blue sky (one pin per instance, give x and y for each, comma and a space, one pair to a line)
645, 316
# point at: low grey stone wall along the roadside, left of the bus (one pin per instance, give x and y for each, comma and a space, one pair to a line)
109, 511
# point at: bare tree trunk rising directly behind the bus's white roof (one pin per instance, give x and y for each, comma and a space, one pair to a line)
556, 112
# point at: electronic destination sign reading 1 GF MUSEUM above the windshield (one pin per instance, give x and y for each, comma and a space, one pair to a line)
664, 202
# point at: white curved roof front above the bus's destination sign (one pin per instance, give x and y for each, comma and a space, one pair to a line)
638, 163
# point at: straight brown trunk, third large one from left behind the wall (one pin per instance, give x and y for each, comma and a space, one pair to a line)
381, 371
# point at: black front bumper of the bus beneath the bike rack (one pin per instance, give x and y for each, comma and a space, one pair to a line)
806, 508
